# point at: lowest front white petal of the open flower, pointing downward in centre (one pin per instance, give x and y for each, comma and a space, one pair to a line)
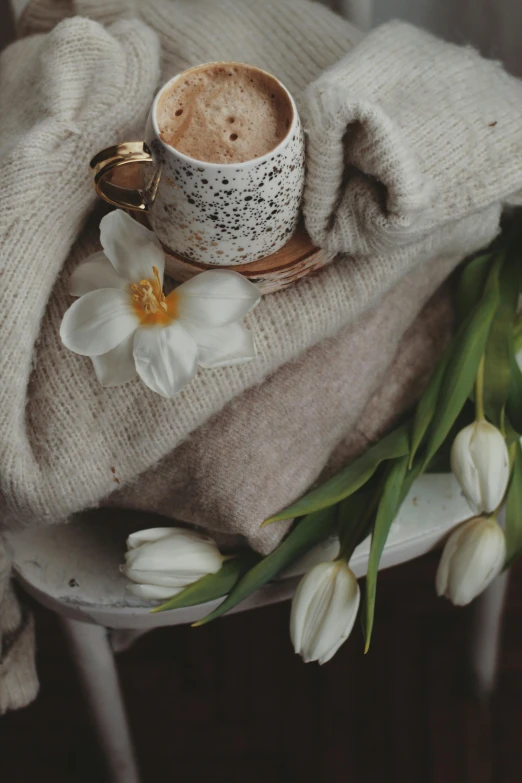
165, 357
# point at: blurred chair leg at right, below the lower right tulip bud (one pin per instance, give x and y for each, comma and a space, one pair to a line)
485, 635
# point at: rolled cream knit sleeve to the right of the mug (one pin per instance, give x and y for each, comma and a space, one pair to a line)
409, 137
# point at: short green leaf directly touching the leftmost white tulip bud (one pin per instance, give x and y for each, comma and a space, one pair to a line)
212, 586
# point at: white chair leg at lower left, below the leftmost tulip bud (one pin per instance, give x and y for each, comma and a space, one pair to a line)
96, 668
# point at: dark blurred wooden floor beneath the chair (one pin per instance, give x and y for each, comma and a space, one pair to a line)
231, 703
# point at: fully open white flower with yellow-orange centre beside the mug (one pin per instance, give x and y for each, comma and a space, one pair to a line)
127, 326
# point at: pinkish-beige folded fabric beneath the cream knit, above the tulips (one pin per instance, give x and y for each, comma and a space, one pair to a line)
268, 446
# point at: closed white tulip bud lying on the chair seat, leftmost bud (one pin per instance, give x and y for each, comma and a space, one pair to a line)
163, 560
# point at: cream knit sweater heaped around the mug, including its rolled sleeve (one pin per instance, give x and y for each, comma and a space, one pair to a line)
84, 85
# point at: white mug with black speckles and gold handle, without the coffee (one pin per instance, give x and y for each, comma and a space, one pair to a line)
211, 213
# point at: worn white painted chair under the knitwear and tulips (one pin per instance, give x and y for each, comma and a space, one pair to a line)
73, 570
